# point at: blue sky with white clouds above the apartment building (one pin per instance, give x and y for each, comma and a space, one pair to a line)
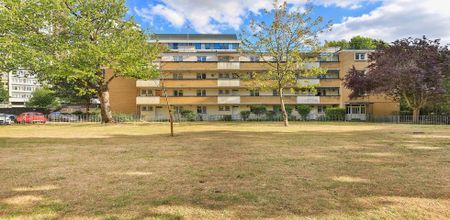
381, 19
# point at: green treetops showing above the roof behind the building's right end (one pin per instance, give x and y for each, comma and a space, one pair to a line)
357, 43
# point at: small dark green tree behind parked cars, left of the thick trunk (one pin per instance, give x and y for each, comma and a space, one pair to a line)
43, 98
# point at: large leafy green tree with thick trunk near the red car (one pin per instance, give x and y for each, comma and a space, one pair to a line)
84, 42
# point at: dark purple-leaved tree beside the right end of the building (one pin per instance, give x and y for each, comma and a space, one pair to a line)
412, 69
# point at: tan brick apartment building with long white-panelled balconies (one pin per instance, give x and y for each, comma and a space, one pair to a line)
203, 73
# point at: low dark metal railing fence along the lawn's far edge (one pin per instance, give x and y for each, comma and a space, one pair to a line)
121, 118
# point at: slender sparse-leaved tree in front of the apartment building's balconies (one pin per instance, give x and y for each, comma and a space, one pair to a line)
281, 44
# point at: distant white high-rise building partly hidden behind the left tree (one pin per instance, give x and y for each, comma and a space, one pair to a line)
21, 85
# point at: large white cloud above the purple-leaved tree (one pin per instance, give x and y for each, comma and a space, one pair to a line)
396, 19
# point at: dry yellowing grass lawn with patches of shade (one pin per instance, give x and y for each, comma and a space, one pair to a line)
225, 171
